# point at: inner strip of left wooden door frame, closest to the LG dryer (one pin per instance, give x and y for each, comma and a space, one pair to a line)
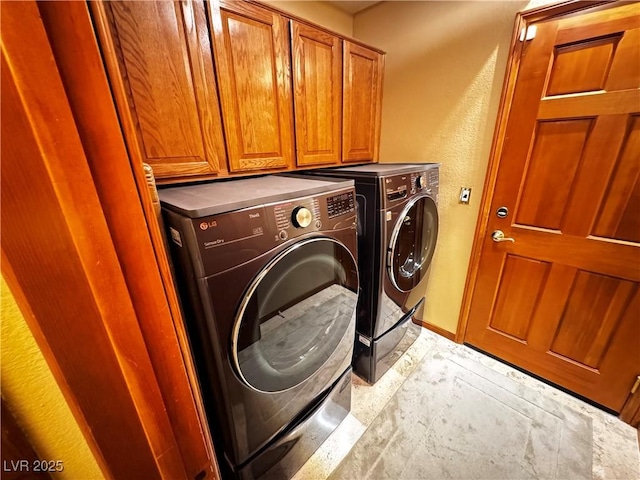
134, 236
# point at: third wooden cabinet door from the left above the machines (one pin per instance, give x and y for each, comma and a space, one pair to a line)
317, 81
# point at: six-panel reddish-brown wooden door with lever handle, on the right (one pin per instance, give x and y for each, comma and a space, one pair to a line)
562, 300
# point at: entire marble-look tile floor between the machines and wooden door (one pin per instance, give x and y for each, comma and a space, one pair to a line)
610, 452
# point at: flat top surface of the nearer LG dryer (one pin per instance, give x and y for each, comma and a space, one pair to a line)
202, 200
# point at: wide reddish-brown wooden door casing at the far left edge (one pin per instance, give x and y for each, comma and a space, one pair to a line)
60, 263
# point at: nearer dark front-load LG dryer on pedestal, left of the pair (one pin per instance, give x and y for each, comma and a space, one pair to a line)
267, 273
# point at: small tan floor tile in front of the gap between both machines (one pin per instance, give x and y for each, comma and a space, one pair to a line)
369, 400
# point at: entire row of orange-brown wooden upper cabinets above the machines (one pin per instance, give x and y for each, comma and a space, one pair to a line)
209, 89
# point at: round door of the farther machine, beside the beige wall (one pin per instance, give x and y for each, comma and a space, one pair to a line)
413, 242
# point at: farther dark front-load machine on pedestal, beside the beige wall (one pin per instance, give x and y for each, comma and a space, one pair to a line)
397, 234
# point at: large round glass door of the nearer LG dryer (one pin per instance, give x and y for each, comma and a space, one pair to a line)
295, 314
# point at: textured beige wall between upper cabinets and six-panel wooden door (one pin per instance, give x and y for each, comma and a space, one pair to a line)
445, 65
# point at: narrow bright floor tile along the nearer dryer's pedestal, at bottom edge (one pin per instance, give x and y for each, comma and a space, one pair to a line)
332, 451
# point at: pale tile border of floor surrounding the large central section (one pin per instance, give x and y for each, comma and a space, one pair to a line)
615, 452
